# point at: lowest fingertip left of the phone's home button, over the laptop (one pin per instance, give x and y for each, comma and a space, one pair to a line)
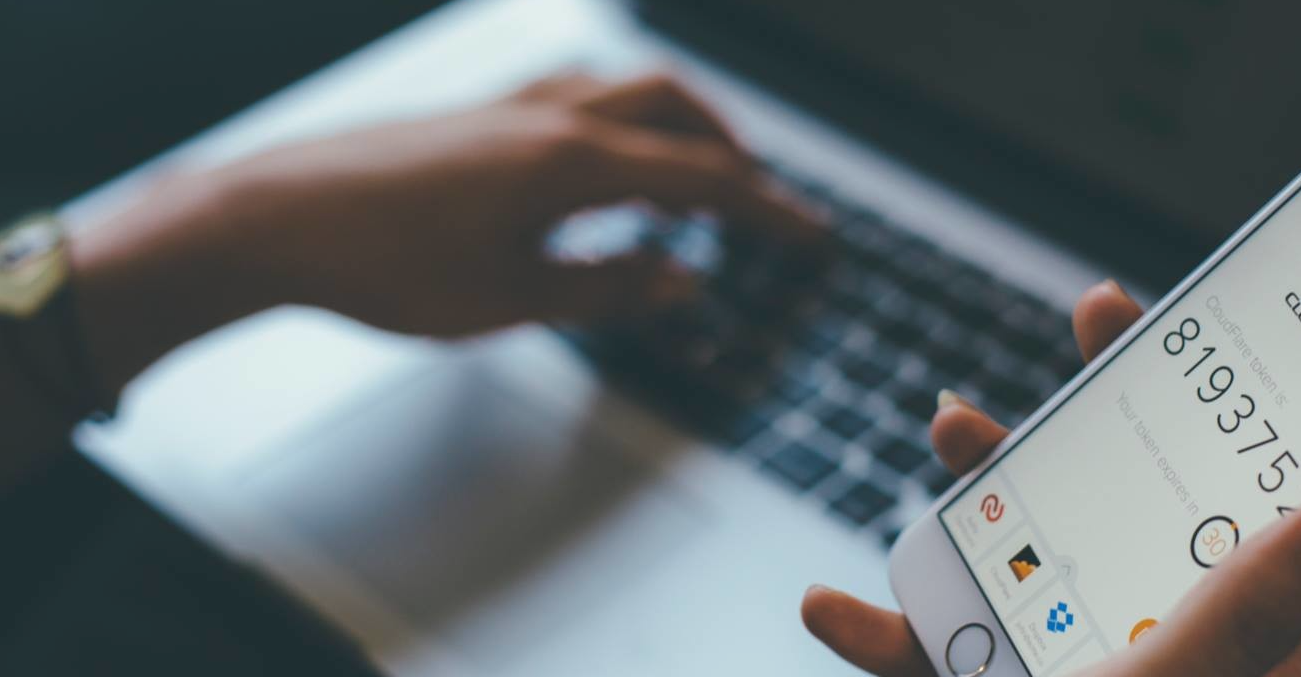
875, 640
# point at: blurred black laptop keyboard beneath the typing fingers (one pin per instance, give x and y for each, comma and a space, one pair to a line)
824, 376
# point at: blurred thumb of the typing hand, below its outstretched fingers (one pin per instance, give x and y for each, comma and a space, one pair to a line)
611, 288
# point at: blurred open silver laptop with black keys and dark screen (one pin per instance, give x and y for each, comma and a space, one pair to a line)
654, 498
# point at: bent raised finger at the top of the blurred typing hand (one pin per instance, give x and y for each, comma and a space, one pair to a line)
662, 102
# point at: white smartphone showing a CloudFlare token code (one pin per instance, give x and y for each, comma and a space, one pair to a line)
1099, 514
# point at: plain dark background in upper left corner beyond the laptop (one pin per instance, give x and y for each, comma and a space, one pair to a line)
93, 88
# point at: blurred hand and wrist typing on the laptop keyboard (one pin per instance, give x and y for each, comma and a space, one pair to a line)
431, 227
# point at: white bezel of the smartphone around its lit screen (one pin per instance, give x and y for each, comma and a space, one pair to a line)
933, 585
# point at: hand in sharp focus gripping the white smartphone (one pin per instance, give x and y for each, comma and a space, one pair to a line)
1242, 619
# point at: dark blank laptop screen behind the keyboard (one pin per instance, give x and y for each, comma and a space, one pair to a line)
1188, 107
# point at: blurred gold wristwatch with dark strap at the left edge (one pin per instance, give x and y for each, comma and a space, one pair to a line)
40, 330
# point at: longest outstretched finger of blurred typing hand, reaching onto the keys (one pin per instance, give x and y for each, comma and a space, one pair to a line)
616, 163
